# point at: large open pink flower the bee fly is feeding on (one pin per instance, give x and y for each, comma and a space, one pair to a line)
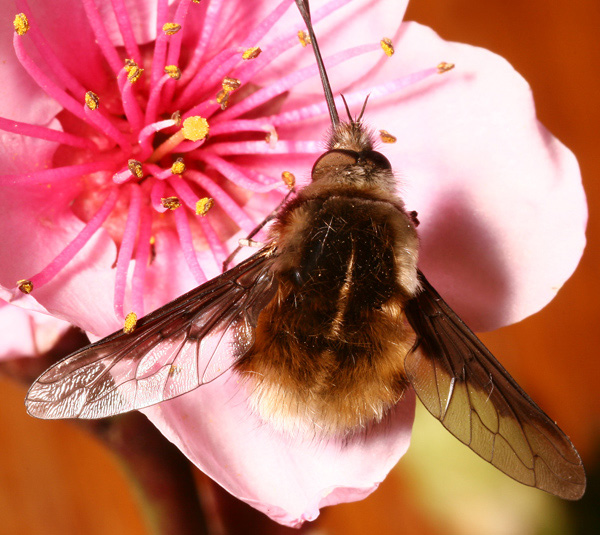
500, 200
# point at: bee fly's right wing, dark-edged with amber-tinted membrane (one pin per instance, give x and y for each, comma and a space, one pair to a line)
461, 383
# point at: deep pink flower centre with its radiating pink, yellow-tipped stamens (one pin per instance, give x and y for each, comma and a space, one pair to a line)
165, 144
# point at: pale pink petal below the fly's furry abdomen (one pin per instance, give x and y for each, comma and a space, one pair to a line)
287, 478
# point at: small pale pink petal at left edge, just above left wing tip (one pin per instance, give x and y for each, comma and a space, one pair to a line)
25, 333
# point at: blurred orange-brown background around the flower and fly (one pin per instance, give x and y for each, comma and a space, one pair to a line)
57, 479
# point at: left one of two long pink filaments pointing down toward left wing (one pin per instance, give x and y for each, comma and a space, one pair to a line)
126, 249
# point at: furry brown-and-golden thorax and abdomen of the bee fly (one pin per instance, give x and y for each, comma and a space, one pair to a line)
329, 348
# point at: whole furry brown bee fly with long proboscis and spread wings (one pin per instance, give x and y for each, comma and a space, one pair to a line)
331, 322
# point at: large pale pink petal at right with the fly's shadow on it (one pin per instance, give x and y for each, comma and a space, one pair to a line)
500, 200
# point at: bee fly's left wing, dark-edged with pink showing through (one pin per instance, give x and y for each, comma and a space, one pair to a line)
186, 343
